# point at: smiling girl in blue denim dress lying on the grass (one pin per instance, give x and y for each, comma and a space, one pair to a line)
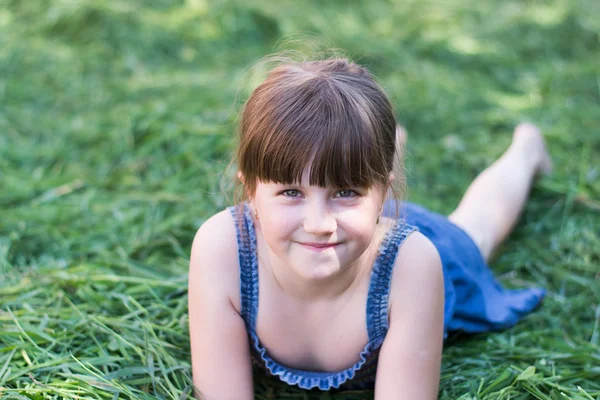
320, 275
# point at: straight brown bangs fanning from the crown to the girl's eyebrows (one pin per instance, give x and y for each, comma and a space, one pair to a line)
338, 135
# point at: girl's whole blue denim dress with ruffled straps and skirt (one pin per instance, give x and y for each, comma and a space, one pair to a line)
474, 300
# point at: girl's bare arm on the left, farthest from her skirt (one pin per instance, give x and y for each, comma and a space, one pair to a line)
220, 351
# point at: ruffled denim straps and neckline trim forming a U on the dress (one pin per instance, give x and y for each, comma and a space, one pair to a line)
377, 305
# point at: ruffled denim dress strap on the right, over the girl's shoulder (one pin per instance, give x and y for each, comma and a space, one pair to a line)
381, 278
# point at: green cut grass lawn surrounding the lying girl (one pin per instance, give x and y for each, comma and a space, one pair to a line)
116, 122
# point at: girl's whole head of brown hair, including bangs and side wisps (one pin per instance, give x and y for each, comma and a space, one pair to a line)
329, 113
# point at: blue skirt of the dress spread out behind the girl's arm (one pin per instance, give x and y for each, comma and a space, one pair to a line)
474, 301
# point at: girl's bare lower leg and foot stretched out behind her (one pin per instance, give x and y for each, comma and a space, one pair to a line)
493, 202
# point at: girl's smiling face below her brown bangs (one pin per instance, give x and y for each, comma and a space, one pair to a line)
317, 231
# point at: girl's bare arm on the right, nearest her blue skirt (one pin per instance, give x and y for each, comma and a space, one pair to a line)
410, 357
